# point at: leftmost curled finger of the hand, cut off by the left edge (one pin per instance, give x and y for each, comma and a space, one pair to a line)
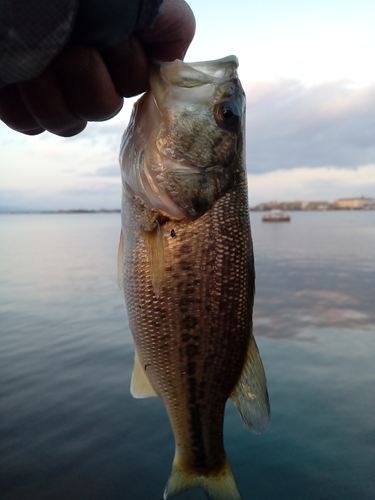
14, 113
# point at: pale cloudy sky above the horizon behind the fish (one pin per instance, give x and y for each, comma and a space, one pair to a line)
309, 76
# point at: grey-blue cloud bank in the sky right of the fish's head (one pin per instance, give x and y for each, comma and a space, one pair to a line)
290, 125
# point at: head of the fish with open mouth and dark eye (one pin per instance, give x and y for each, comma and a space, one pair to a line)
188, 130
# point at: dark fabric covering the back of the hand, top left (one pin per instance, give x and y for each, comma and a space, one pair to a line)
33, 32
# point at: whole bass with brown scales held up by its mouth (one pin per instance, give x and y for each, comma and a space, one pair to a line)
186, 265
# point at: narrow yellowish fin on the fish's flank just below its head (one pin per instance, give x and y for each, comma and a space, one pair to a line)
155, 251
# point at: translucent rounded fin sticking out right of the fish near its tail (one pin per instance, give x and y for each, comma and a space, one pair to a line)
250, 395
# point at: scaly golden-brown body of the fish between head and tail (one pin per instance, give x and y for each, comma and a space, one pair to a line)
174, 331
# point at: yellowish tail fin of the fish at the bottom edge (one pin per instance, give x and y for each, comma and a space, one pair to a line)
221, 486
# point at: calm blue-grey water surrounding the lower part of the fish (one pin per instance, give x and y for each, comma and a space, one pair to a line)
70, 429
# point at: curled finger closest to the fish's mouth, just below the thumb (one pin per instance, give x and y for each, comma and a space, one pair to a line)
128, 66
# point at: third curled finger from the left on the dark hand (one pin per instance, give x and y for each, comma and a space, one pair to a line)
87, 86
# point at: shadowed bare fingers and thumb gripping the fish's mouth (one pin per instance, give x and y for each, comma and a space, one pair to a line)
84, 84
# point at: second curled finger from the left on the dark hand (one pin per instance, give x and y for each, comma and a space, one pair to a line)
44, 101
